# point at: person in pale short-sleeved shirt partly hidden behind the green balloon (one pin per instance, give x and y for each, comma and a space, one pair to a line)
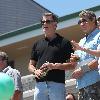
15, 74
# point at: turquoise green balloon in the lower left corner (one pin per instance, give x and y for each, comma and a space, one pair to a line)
6, 87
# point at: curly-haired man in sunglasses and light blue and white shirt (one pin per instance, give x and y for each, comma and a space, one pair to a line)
86, 72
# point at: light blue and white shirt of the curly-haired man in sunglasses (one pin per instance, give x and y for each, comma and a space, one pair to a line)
91, 42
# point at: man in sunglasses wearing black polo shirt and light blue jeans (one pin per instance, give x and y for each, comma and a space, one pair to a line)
50, 52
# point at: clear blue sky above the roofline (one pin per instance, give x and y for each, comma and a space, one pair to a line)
65, 7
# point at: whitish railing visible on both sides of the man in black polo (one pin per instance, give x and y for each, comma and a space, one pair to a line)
28, 82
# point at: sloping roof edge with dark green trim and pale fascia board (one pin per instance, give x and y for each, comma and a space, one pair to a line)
25, 33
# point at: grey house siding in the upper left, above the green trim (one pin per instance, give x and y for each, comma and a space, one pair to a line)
15, 14
